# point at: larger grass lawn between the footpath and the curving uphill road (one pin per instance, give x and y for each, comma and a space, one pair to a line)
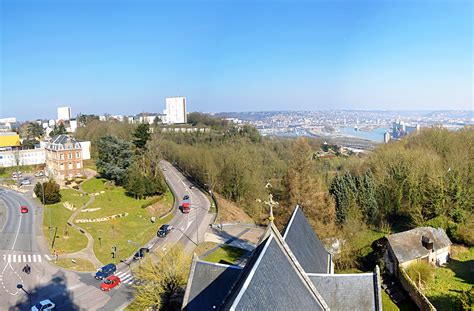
136, 227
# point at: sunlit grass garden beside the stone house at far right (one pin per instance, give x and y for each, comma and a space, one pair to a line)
449, 281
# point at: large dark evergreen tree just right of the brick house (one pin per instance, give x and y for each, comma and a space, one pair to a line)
114, 158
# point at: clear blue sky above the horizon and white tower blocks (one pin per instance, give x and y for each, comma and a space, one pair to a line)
127, 56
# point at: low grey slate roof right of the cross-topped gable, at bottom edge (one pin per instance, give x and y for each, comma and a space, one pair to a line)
359, 291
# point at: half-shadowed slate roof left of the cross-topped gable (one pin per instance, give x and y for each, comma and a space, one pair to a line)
208, 284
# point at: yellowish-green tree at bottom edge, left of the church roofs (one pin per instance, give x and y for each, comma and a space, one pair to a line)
162, 281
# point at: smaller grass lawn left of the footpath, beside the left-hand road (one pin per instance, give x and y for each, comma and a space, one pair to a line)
68, 240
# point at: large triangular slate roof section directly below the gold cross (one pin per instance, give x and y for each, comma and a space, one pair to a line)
273, 280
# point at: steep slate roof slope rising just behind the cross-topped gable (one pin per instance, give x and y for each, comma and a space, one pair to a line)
305, 244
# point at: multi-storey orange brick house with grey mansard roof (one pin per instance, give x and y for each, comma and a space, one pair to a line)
64, 157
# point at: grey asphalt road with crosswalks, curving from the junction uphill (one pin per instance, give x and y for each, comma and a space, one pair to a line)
22, 242
